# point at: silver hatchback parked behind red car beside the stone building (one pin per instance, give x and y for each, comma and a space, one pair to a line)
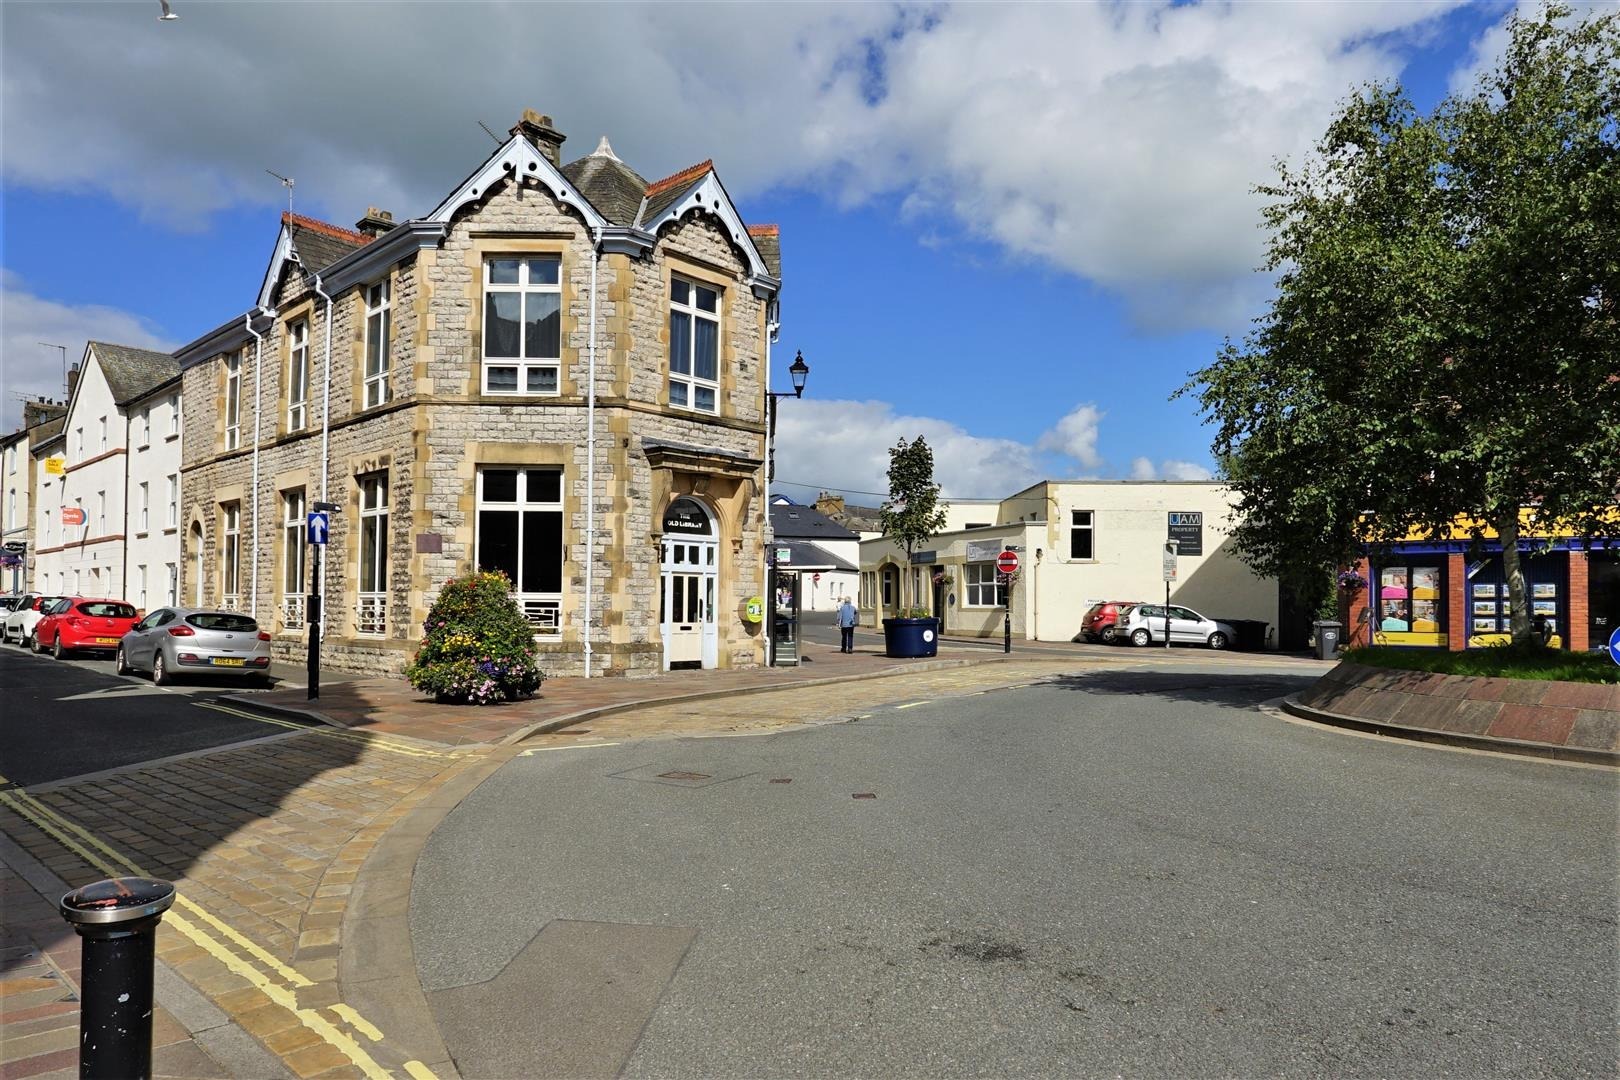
174, 642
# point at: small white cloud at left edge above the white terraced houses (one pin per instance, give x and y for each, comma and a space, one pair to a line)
35, 370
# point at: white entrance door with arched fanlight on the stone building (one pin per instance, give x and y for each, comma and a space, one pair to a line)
689, 566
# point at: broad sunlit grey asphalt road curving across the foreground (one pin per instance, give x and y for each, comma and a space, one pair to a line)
1127, 874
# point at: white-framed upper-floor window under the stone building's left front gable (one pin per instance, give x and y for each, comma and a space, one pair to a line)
522, 351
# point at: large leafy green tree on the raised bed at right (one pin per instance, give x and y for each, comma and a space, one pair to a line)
1444, 341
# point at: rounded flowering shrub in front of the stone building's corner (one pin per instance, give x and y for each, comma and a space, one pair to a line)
477, 648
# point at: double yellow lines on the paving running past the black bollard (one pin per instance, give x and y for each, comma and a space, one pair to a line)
62, 831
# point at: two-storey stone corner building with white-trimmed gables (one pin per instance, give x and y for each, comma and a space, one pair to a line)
558, 373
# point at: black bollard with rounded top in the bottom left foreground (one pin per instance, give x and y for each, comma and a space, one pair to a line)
117, 922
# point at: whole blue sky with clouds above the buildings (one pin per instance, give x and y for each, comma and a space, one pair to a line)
1010, 229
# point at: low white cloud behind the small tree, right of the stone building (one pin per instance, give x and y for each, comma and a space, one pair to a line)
845, 446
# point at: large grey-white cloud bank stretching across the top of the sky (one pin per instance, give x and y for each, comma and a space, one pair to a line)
1114, 142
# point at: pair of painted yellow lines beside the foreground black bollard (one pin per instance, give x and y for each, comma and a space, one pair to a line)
241, 956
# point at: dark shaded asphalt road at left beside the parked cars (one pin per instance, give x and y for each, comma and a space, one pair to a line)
72, 718
